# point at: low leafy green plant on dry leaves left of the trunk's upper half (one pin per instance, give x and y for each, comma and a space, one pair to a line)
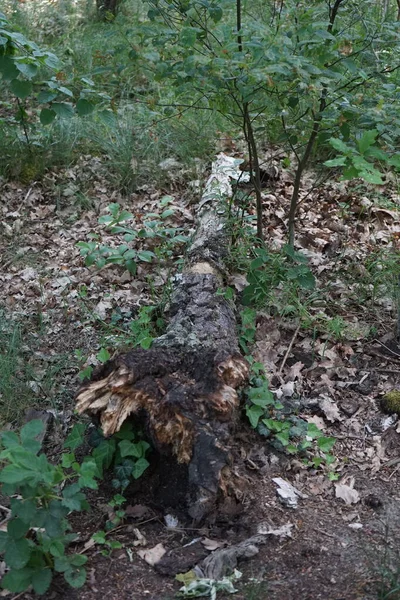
124, 254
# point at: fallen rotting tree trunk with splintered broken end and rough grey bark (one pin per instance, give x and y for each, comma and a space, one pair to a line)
186, 384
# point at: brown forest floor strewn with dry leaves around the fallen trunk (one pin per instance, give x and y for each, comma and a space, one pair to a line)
343, 542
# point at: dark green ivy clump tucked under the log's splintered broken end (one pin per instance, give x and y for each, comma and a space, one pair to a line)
124, 453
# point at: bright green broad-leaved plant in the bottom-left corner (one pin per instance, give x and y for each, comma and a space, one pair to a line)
43, 495
